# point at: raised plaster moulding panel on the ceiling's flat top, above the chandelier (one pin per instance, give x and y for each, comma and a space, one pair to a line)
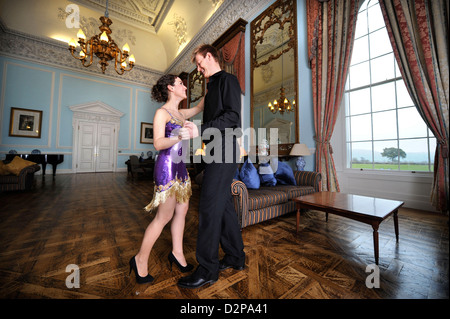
145, 14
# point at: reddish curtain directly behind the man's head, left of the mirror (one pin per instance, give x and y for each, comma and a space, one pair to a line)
232, 56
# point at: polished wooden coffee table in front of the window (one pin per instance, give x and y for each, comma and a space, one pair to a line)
368, 210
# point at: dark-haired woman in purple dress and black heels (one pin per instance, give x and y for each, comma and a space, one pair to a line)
172, 182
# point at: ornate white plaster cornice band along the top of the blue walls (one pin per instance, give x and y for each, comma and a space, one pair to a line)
51, 52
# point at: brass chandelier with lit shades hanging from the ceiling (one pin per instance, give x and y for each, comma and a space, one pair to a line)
103, 47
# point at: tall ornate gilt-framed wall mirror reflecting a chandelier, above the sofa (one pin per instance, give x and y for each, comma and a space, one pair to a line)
274, 74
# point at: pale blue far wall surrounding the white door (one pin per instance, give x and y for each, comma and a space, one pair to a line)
34, 86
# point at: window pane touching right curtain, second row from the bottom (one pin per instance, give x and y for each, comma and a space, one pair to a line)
410, 123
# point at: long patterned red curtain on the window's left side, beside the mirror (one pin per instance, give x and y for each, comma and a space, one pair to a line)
331, 32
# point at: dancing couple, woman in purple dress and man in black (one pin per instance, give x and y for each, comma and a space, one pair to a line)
218, 223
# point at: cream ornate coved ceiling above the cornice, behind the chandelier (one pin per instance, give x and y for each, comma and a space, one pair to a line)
156, 30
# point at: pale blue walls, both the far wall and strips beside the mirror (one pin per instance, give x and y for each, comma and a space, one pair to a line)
50, 89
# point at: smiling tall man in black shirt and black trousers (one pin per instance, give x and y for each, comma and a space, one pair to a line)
218, 222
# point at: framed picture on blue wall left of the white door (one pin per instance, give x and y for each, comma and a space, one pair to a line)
25, 123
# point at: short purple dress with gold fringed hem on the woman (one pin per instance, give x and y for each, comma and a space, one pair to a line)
170, 174
